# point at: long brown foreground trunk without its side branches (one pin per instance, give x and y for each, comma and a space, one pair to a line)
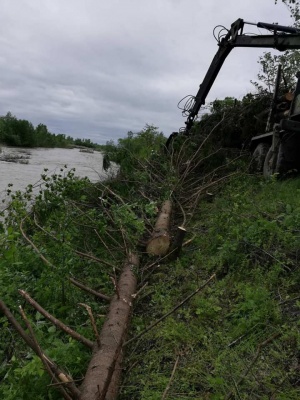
103, 374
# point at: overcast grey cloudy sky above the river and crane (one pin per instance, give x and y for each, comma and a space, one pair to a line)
99, 68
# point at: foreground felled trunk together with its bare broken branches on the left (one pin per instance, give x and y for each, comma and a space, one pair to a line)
103, 374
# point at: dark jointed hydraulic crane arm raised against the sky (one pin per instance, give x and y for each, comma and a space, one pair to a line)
281, 38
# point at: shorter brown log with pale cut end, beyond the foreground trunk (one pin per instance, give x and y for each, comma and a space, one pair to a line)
160, 240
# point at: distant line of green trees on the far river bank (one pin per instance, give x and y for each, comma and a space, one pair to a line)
21, 133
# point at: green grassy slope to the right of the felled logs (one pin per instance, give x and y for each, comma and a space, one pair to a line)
239, 337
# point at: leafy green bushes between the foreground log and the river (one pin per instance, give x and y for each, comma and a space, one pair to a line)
64, 227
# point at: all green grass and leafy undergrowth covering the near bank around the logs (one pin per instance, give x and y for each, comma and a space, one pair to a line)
238, 338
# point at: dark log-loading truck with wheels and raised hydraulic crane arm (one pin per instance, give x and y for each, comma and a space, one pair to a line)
278, 149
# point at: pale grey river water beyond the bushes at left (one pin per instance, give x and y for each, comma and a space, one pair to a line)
33, 161
